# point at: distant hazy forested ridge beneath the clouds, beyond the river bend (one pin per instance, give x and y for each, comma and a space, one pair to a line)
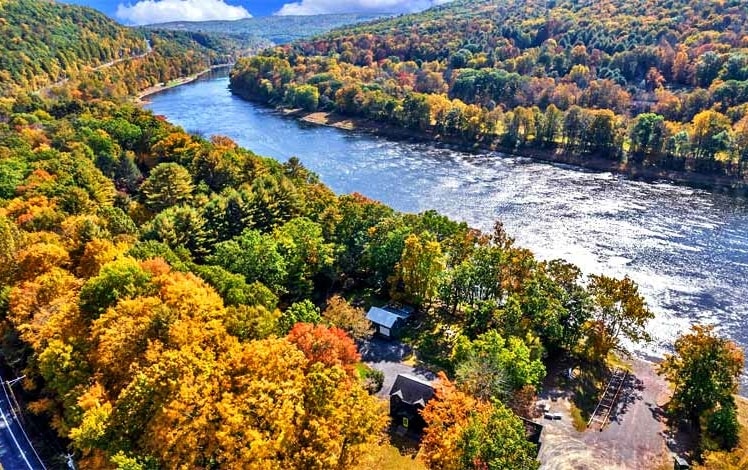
254, 34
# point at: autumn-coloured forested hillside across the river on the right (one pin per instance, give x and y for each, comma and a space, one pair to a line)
660, 84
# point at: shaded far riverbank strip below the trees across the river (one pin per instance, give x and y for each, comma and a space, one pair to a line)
635, 171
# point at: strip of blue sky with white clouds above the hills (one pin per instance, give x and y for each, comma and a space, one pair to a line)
134, 12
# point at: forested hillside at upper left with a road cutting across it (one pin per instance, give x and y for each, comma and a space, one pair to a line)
45, 43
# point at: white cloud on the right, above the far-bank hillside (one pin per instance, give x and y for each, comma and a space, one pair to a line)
316, 7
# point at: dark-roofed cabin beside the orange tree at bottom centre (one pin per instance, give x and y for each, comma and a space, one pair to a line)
408, 396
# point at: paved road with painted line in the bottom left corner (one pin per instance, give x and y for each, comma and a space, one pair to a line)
16, 451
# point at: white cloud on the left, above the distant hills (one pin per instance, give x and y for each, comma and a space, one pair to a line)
162, 11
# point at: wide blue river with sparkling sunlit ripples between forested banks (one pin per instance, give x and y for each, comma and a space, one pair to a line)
686, 248
